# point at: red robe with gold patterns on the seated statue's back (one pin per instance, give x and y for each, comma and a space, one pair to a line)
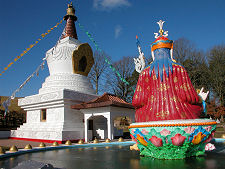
172, 98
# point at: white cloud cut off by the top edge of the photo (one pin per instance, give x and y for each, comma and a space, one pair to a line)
109, 4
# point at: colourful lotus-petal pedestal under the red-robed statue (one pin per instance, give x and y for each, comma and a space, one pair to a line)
173, 139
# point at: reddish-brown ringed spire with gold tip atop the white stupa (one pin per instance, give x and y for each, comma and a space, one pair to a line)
70, 29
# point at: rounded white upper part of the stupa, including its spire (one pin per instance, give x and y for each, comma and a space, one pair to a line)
69, 62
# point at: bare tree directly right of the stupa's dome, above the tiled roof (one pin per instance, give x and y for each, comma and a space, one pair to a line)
97, 73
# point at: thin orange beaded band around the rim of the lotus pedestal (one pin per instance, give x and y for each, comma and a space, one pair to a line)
171, 125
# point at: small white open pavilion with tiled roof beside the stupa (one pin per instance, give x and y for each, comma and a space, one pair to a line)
100, 115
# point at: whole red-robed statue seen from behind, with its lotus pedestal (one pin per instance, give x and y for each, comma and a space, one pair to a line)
168, 108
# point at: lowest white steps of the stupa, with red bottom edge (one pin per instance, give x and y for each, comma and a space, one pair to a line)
49, 131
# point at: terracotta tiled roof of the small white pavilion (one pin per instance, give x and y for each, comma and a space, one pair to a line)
102, 101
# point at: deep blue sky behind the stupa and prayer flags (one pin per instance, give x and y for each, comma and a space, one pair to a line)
113, 23
